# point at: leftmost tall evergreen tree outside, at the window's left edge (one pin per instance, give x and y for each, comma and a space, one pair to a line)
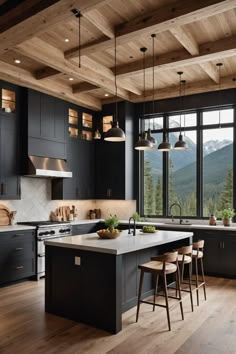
149, 196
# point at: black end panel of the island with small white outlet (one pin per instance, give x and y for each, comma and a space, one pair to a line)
89, 292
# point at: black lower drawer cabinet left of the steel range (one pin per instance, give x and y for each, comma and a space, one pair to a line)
17, 255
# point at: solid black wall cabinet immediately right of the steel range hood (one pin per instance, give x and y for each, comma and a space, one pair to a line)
81, 162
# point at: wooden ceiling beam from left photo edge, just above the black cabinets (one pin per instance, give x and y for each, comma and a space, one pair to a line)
19, 76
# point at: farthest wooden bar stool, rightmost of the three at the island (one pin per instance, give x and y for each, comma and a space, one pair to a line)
198, 258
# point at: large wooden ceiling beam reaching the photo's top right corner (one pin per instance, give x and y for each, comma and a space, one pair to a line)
165, 18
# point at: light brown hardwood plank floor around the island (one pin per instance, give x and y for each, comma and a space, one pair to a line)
25, 327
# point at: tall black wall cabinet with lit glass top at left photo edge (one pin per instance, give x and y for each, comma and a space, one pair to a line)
9, 151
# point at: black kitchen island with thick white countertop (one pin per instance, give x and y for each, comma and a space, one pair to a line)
94, 281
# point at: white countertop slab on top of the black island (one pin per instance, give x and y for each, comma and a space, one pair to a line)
123, 244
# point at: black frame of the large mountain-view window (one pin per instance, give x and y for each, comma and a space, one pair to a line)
199, 128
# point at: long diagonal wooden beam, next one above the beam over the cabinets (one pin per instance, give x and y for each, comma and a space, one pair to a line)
48, 55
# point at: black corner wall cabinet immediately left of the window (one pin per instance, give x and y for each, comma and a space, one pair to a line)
114, 161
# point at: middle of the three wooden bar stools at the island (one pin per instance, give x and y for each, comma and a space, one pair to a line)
185, 258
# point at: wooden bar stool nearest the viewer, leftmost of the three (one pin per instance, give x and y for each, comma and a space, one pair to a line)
161, 266
